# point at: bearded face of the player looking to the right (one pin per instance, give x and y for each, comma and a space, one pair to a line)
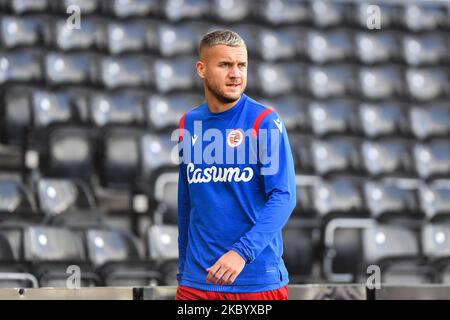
224, 71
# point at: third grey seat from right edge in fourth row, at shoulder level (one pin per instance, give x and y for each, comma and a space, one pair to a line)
333, 117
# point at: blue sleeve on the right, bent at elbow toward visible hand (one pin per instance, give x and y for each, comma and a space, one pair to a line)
279, 186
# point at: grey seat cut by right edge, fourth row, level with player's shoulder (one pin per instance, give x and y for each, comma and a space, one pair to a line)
430, 121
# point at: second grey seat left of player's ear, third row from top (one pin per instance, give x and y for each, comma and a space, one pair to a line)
127, 71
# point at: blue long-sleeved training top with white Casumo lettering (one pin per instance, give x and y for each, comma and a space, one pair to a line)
234, 205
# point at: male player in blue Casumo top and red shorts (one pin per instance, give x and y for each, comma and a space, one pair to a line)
231, 212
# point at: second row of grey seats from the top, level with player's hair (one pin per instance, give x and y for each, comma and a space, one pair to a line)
268, 44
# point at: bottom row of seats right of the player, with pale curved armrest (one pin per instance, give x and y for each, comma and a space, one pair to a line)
345, 248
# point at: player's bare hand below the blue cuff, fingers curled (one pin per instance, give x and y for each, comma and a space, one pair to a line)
226, 269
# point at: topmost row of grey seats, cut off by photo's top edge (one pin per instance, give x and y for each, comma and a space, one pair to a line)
414, 15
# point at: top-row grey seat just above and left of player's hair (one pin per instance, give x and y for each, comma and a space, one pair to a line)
175, 10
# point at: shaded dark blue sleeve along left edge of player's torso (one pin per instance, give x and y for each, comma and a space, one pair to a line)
184, 208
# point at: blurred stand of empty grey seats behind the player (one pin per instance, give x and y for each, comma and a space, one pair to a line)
86, 116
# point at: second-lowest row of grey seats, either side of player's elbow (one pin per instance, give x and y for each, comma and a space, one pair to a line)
385, 200
